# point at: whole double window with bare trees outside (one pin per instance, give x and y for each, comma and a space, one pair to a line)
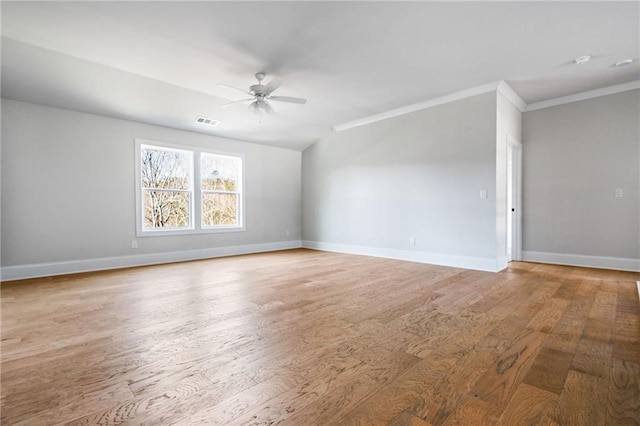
186, 190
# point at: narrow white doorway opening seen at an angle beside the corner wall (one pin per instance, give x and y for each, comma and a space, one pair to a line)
514, 199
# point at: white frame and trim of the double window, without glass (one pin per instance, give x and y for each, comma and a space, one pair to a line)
195, 212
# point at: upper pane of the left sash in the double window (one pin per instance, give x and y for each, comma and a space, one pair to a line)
164, 168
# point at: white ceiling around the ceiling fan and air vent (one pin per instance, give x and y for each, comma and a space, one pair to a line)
159, 62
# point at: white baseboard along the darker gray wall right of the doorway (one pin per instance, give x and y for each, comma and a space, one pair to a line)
602, 262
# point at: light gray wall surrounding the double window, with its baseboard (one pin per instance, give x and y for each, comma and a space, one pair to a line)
68, 194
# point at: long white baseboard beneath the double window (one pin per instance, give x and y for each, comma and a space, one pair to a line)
10, 273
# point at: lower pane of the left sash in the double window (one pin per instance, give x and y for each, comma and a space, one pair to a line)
166, 209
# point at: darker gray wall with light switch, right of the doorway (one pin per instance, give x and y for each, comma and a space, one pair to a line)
575, 156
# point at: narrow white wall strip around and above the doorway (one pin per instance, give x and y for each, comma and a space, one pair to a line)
508, 124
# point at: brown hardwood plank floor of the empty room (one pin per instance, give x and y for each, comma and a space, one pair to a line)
303, 337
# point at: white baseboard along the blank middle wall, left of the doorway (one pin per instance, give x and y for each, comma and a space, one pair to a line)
477, 263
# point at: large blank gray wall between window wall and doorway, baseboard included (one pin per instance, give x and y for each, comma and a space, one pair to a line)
370, 188
